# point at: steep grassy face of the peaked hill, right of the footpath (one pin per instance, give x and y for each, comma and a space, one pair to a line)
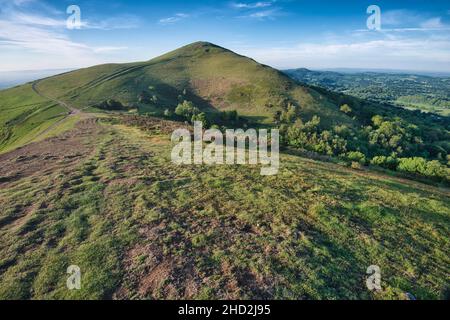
212, 77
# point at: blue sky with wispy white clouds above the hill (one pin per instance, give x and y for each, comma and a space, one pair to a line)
415, 35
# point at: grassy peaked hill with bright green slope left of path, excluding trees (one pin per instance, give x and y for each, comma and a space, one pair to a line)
214, 78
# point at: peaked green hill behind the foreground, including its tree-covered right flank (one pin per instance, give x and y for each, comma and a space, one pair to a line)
215, 79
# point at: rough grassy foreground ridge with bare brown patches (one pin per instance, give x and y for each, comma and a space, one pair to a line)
105, 197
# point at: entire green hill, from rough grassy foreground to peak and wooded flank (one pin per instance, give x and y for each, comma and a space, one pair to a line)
103, 194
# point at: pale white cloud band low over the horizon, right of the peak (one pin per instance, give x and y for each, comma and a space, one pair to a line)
416, 54
